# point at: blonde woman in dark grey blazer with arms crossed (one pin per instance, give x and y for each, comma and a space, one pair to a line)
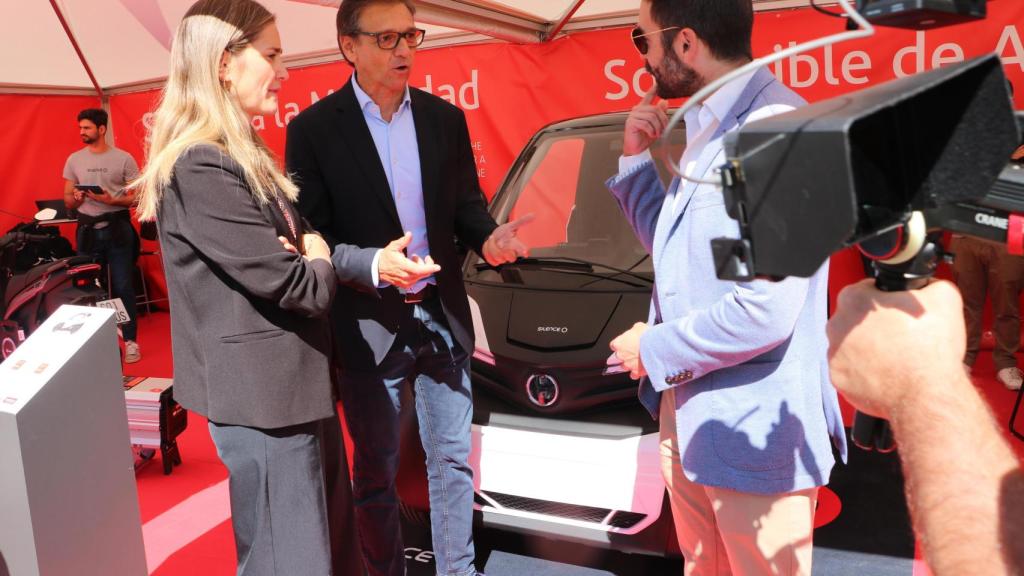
249, 294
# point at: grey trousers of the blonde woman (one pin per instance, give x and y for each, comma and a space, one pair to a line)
283, 512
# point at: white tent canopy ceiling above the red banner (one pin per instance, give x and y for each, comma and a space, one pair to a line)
54, 47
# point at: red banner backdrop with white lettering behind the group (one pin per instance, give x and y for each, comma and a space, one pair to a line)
510, 92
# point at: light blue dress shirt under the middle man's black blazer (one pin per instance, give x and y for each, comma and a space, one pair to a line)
400, 154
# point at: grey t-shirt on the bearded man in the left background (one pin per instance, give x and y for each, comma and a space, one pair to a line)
111, 171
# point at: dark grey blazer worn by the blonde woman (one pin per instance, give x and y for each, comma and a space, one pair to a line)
249, 330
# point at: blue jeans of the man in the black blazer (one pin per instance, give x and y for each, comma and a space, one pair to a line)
426, 356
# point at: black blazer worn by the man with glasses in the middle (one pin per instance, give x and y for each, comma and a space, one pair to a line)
346, 196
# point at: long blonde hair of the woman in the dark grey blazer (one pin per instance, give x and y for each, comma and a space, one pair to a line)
197, 108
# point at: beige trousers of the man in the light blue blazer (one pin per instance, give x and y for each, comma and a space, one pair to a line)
723, 531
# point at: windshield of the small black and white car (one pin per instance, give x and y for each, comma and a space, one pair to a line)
577, 219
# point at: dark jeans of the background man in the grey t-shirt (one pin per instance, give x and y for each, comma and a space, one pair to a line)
115, 246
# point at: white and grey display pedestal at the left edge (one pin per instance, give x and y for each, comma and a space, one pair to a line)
68, 495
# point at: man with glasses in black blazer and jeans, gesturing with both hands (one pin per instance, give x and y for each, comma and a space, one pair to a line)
388, 176
